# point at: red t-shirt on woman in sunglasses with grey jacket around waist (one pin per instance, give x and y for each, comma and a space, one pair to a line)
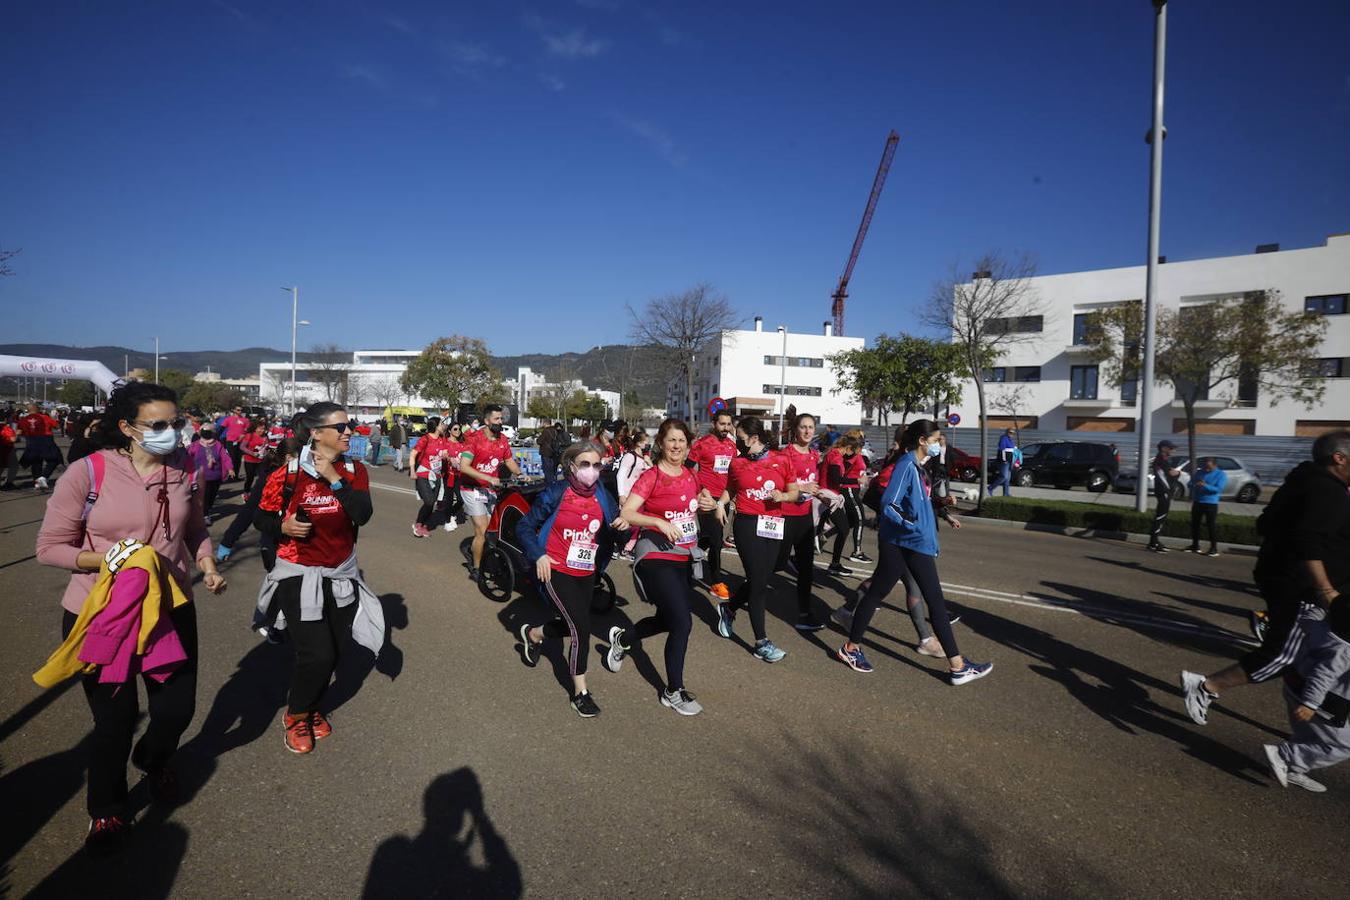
334, 536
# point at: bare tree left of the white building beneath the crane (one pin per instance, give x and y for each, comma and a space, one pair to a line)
682, 326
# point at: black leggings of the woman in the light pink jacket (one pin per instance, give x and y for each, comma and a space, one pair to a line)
117, 709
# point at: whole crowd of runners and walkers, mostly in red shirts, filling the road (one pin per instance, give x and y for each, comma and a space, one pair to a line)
130, 524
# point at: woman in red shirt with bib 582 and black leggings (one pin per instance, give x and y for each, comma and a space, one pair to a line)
762, 482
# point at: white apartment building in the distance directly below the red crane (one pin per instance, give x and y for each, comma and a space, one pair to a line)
761, 373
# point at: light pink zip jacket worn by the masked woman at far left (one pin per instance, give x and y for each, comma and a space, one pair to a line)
128, 507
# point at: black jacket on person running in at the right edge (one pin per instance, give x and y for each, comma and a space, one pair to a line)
1309, 519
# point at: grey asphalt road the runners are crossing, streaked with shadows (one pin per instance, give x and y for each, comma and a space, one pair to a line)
456, 771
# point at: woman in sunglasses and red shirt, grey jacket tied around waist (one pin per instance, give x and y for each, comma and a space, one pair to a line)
313, 508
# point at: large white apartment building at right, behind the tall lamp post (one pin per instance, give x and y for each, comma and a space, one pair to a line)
1062, 387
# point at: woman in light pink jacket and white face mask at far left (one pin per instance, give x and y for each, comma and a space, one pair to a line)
148, 492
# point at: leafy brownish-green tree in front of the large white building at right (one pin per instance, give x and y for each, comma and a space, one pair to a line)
1220, 346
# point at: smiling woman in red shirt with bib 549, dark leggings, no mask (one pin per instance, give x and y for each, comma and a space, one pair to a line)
665, 504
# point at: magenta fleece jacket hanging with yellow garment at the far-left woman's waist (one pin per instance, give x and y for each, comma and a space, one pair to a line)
111, 640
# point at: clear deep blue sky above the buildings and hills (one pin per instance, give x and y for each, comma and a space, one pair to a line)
519, 172
